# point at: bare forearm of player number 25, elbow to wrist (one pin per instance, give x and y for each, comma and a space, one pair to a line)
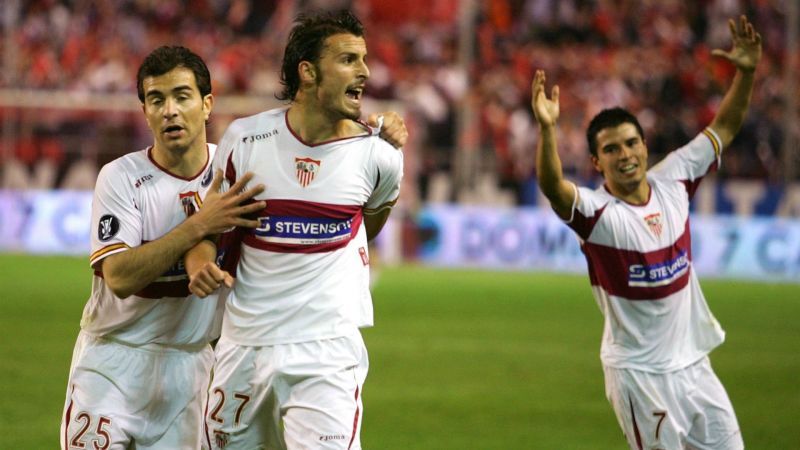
131, 271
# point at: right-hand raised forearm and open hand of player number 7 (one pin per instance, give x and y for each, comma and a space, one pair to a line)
745, 54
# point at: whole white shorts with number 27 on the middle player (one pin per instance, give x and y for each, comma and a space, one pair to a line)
288, 396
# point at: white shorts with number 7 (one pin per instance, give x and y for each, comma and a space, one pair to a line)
685, 409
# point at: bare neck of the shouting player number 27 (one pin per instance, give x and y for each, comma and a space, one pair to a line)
313, 126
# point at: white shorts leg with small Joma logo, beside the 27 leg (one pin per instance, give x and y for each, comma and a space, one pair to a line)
324, 411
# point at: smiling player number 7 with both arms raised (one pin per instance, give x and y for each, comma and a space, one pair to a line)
634, 232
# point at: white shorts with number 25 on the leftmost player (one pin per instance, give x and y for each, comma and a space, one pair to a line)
121, 397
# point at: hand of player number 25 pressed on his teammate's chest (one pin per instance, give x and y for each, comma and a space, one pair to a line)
222, 211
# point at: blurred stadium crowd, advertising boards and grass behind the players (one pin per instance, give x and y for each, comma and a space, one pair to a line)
486, 336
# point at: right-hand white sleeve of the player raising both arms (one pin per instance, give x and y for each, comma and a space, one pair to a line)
693, 161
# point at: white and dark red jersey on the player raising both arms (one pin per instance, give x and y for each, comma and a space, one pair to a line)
640, 265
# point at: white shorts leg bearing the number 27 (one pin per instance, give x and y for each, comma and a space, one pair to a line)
242, 411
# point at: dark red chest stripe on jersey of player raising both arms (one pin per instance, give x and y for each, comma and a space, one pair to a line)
612, 268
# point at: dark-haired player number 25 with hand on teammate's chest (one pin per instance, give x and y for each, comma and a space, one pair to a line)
141, 363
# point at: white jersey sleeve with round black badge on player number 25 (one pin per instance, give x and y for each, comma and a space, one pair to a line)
116, 219
